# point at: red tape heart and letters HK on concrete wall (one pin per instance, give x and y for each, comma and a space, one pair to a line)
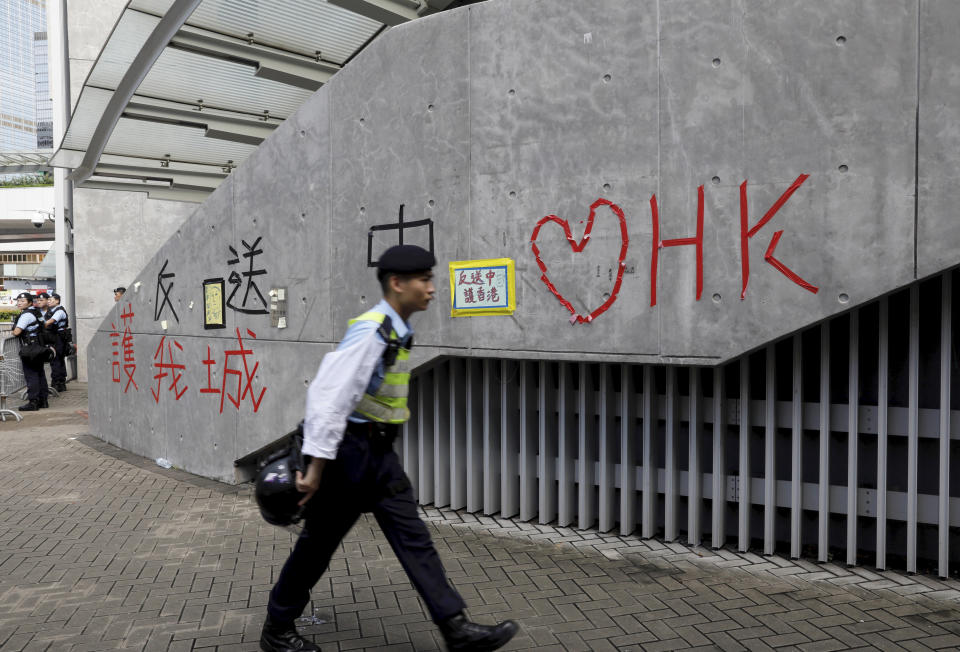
657, 244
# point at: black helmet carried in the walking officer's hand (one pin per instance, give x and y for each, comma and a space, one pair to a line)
276, 488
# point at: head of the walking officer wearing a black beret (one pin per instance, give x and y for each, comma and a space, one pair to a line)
405, 273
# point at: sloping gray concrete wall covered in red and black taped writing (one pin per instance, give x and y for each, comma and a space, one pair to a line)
486, 120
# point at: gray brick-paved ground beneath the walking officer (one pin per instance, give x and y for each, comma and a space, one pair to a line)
102, 550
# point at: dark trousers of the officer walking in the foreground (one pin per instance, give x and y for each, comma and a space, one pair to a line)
366, 476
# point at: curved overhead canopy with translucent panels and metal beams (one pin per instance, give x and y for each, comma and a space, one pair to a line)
184, 90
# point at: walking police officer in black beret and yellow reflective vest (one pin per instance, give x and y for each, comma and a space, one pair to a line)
356, 405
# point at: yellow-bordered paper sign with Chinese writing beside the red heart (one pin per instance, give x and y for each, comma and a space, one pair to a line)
482, 287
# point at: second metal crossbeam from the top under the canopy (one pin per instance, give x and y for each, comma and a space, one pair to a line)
283, 67
